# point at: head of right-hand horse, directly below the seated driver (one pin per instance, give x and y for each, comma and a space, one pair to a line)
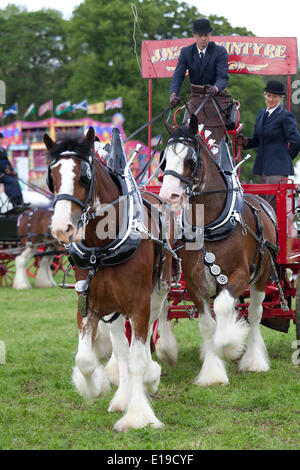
182, 161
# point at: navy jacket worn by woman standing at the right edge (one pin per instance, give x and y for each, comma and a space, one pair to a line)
271, 137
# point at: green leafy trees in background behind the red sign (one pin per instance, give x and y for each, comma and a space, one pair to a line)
95, 55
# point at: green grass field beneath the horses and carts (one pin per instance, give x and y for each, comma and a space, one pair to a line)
40, 409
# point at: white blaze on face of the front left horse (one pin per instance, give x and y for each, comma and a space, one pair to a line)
62, 214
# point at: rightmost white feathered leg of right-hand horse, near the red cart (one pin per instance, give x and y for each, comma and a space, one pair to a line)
256, 356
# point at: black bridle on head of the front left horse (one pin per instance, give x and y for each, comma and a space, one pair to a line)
86, 179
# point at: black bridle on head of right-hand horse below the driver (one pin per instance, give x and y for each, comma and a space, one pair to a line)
194, 159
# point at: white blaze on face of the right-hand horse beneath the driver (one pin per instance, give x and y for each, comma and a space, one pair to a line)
175, 162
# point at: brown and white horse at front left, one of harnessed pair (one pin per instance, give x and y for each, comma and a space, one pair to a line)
133, 283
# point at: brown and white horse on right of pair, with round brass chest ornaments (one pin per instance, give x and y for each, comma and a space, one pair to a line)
239, 238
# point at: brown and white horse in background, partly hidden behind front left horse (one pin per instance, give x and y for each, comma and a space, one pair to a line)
34, 232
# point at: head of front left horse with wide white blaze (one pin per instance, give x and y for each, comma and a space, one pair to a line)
71, 180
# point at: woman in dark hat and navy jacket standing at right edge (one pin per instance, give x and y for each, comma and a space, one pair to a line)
275, 127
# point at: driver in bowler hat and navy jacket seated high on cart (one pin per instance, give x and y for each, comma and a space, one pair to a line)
207, 64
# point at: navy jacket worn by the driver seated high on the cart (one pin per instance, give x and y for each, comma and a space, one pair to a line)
213, 71
